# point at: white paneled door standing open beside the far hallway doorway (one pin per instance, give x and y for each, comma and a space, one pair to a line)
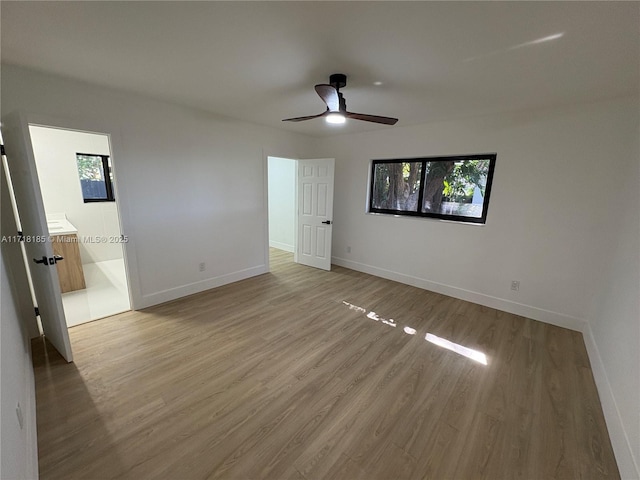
315, 212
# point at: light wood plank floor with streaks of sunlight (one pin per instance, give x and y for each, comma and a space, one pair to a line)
276, 377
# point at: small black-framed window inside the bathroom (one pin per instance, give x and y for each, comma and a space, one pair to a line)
96, 179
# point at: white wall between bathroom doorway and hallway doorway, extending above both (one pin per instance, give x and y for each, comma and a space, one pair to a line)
191, 185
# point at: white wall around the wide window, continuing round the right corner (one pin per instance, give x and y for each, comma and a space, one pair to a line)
557, 222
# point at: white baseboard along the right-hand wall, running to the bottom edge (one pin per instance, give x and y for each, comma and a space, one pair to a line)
617, 433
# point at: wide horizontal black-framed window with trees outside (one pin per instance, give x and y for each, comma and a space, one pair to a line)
452, 188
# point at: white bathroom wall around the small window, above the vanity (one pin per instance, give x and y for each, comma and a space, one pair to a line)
55, 152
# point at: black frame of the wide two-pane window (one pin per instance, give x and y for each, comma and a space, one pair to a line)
424, 160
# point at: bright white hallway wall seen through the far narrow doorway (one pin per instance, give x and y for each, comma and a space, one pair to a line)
282, 203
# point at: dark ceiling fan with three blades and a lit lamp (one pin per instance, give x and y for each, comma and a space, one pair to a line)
336, 111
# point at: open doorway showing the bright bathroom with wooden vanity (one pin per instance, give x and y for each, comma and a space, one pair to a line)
98, 286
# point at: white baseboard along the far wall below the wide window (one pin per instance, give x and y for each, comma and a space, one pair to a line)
535, 313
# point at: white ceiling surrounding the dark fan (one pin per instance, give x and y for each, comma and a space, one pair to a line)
258, 61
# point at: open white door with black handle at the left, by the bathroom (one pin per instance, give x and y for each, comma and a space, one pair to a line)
22, 170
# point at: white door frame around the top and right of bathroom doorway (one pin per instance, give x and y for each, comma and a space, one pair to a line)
126, 225
